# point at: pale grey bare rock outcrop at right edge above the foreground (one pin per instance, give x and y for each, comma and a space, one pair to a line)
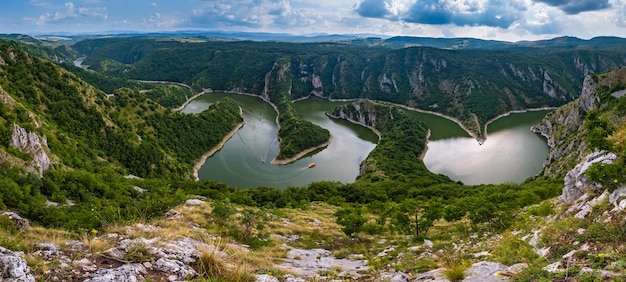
576, 183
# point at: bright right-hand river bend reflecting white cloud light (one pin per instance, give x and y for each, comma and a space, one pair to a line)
510, 154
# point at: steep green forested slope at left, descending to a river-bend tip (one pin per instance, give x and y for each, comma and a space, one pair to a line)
87, 128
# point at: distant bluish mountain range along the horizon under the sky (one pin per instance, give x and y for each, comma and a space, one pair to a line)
566, 42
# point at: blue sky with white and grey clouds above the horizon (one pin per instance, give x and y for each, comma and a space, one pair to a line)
509, 20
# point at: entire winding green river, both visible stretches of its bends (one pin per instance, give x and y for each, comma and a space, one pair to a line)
511, 153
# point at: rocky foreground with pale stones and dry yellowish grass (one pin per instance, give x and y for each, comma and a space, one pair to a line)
180, 247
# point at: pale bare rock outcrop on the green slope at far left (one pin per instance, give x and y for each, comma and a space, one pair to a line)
31, 143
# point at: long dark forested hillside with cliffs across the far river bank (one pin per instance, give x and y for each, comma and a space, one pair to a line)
473, 86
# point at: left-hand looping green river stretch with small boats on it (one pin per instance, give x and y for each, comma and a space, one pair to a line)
244, 159
